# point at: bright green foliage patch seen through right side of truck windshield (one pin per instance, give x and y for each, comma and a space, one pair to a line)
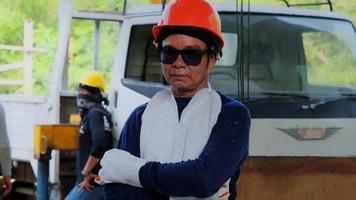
330, 62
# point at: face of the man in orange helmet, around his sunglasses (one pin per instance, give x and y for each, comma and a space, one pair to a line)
186, 80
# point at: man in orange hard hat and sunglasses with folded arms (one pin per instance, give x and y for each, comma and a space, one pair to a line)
188, 141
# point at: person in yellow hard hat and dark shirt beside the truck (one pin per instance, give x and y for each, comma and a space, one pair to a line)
94, 139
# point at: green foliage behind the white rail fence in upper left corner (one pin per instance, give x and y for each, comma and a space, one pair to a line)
13, 15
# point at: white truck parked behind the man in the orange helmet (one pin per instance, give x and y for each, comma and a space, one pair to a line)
294, 69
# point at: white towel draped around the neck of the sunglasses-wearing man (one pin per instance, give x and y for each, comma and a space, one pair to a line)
165, 138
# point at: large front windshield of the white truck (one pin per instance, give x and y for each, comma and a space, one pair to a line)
312, 57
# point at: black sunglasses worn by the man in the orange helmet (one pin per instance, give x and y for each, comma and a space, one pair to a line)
168, 55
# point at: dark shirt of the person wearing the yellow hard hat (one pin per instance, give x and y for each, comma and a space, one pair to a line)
95, 137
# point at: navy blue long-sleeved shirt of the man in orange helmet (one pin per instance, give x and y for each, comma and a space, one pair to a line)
221, 159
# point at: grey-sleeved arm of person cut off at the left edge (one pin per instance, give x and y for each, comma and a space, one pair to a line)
5, 156
